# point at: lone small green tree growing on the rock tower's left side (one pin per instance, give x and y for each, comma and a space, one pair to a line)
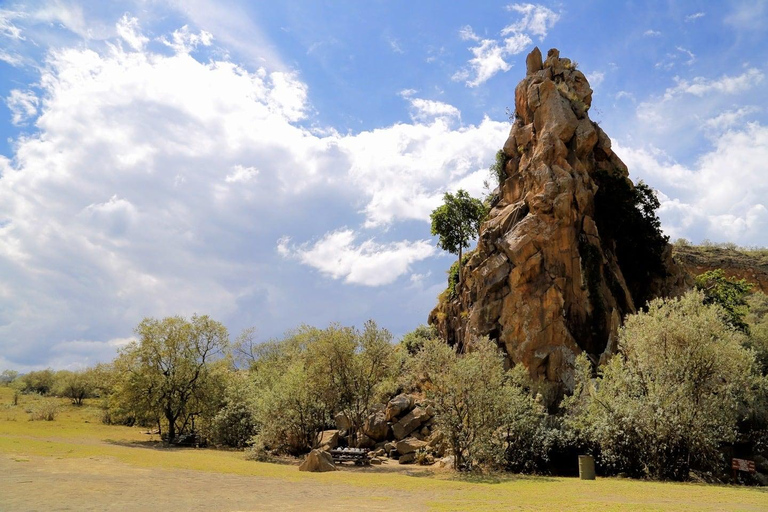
457, 222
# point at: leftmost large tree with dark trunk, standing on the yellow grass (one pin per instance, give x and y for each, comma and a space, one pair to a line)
168, 376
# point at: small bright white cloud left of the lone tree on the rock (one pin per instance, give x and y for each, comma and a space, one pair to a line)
368, 263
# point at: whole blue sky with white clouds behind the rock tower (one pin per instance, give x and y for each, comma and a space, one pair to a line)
273, 164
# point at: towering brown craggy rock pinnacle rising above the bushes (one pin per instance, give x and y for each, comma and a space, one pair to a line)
555, 272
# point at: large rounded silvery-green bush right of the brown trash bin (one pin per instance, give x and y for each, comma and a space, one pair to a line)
673, 394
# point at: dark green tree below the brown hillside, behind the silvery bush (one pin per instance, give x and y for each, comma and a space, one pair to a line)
730, 294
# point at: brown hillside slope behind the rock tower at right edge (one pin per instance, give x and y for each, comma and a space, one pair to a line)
750, 264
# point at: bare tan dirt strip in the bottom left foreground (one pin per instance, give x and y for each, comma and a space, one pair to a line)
47, 484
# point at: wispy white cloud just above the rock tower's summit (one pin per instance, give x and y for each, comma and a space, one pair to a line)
490, 54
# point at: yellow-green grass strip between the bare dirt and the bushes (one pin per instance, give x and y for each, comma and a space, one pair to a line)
78, 433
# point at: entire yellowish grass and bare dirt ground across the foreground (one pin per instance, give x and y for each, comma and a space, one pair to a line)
77, 454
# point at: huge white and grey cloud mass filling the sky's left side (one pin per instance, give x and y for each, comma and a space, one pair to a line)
156, 184
